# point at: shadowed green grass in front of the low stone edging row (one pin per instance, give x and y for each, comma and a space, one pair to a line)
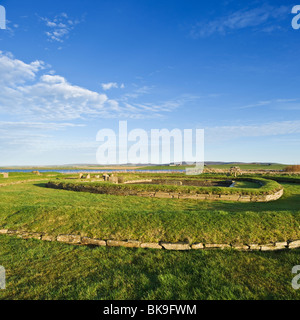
38, 270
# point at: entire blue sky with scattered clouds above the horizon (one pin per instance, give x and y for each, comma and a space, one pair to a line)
229, 67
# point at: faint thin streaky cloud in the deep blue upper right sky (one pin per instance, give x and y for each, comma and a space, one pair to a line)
266, 17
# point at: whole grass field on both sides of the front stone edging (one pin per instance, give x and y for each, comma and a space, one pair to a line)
38, 270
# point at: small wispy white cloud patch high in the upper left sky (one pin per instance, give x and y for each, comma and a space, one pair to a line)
59, 27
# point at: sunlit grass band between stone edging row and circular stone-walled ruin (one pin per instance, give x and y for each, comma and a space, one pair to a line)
33, 207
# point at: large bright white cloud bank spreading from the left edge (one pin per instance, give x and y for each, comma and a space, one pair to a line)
29, 92
